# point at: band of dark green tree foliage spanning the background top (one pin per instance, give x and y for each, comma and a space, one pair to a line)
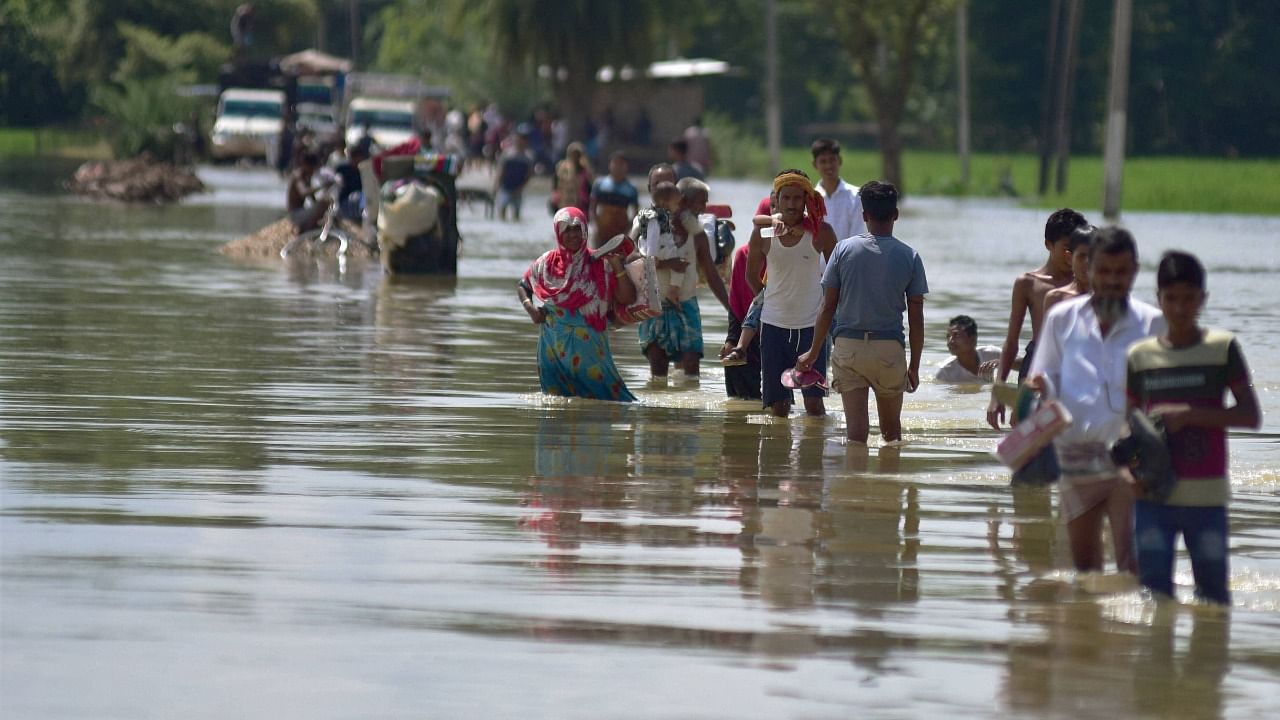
1201, 71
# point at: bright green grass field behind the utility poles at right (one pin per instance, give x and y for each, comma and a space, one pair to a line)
1185, 185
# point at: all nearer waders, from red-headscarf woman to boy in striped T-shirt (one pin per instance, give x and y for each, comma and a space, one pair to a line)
825, 281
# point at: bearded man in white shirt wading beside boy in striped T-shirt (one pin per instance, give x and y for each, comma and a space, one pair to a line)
1082, 363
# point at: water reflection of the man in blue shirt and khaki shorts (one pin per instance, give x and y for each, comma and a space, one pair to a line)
870, 532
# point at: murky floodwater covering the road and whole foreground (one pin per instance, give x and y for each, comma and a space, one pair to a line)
268, 491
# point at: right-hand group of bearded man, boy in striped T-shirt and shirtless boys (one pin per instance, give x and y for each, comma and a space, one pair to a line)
1105, 356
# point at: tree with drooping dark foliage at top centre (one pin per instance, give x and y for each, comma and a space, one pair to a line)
574, 39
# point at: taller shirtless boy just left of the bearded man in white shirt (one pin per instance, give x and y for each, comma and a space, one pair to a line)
1030, 291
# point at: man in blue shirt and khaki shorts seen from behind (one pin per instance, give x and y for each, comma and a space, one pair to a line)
870, 281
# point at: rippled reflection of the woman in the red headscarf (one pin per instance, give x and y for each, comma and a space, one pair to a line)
572, 454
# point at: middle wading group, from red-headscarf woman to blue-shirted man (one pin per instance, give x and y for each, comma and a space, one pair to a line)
821, 263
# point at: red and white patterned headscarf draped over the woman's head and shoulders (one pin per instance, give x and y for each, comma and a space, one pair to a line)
572, 280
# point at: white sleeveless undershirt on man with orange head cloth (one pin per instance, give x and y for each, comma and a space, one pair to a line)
794, 293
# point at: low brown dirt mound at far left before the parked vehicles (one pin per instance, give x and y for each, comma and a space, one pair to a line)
141, 180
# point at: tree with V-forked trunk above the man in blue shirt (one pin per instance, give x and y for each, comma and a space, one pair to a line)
888, 42
